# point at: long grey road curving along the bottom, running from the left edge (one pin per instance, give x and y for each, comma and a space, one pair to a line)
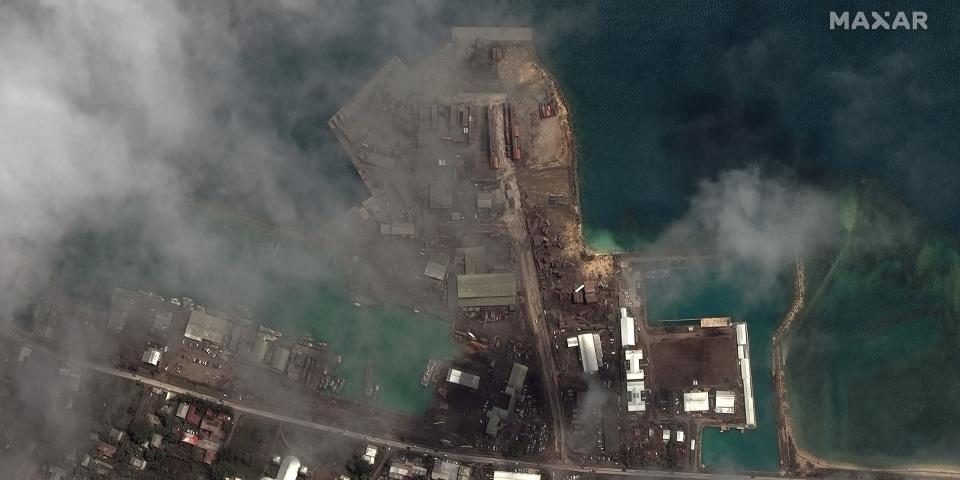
362, 437
